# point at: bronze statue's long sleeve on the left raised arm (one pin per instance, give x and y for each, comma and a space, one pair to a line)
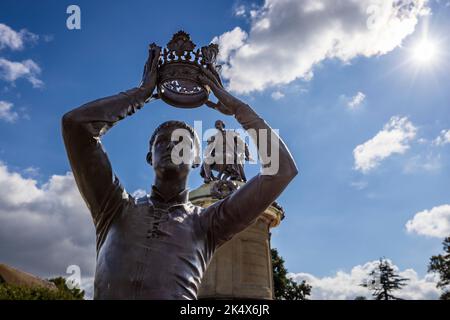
82, 129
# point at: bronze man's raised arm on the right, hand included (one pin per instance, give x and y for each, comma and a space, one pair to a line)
236, 212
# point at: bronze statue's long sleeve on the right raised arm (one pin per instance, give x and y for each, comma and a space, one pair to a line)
227, 217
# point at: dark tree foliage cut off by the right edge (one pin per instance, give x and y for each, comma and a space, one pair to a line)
441, 265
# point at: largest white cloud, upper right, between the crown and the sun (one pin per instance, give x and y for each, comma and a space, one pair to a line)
287, 38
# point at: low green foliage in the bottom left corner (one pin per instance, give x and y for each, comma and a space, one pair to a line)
14, 292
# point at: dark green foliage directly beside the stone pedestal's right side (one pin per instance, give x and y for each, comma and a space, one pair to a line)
284, 287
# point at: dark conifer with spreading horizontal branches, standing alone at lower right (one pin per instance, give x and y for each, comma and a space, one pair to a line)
383, 280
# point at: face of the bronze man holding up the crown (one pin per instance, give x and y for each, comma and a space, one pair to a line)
173, 158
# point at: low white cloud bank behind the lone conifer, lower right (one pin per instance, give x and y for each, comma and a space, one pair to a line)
346, 285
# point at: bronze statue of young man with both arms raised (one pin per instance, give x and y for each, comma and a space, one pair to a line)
158, 247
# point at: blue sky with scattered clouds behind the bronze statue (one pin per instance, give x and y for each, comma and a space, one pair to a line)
337, 217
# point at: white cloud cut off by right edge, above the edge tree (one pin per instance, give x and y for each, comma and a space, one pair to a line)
432, 223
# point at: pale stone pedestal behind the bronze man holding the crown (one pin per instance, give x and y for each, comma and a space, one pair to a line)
242, 267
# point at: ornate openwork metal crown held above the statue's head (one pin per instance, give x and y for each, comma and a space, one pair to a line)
179, 67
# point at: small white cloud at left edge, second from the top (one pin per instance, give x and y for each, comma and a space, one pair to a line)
10, 71
